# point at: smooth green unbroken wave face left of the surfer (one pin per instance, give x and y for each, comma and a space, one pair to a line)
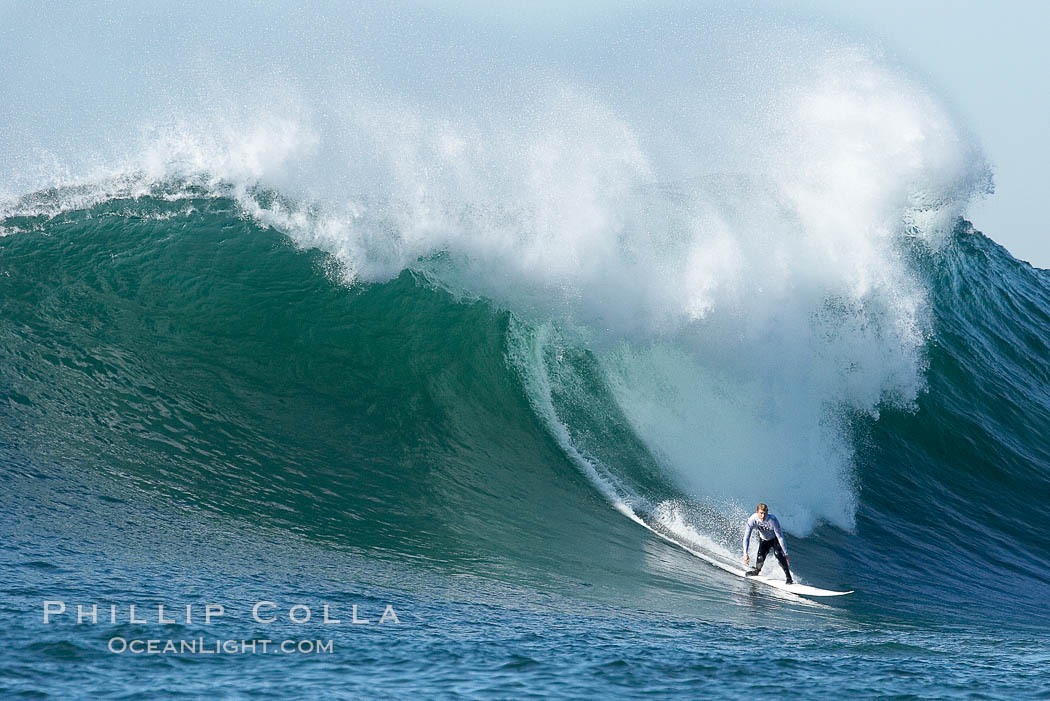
192, 356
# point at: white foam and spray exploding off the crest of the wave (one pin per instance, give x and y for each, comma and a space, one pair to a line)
717, 213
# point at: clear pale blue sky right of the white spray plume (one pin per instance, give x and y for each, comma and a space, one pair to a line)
991, 61
